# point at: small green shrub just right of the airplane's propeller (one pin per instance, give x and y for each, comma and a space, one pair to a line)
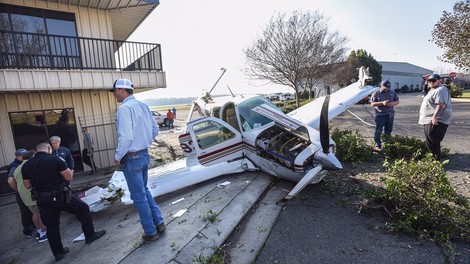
351, 147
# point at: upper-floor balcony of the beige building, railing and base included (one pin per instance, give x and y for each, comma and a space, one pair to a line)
34, 62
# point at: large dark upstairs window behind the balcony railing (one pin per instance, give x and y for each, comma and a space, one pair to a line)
38, 38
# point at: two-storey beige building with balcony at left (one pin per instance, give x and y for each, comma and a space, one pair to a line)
57, 60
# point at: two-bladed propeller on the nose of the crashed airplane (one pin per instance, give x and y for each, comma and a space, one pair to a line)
316, 172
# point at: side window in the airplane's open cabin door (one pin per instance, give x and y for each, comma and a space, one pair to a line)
210, 133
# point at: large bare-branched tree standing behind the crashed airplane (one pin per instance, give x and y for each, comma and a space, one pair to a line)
292, 51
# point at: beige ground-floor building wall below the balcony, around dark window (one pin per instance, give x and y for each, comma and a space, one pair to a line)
95, 109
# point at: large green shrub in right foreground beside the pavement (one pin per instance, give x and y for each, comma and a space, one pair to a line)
422, 201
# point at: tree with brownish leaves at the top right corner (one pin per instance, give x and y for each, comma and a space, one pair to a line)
452, 33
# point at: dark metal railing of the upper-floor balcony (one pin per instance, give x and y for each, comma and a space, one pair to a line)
41, 51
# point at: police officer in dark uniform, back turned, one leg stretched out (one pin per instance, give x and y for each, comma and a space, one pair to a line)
49, 177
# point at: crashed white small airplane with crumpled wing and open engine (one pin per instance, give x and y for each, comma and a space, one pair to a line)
237, 133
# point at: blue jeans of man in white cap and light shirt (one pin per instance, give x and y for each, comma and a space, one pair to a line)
135, 171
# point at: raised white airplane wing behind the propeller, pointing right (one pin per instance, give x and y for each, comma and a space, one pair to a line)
340, 101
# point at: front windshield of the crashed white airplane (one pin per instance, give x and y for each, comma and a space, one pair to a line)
249, 118
